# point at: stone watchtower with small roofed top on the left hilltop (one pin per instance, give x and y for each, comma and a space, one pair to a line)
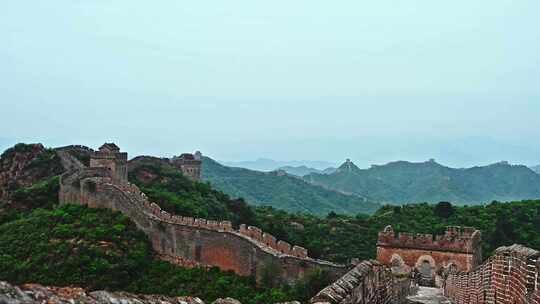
110, 157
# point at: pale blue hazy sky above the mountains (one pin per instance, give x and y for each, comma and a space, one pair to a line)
373, 81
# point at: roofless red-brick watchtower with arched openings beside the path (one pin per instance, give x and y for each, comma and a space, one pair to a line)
458, 249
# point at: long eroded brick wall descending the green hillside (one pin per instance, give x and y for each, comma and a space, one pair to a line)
247, 251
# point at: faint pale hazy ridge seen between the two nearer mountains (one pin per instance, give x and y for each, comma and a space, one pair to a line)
266, 165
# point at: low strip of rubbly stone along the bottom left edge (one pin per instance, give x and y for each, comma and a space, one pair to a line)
37, 294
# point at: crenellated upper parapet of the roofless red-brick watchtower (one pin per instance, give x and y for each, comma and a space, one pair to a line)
455, 239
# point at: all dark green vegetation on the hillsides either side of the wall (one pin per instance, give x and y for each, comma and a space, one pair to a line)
100, 249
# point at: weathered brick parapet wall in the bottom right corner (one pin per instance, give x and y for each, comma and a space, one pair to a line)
510, 276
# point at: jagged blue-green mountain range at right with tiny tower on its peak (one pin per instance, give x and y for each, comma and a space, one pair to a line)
405, 182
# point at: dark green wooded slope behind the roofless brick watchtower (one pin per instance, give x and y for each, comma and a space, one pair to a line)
340, 237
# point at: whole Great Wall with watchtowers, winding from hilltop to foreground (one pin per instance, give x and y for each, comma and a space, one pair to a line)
451, 261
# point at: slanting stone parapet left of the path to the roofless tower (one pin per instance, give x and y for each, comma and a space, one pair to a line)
368, 282
